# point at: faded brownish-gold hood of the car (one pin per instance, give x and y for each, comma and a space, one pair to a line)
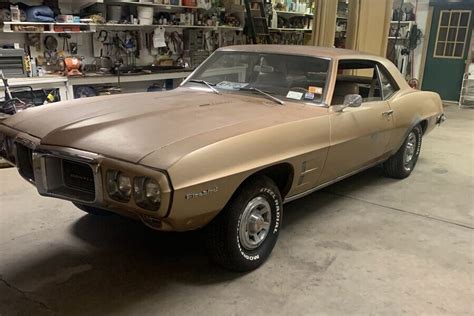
132, 126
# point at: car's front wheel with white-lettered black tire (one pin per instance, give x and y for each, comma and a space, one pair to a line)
243, 235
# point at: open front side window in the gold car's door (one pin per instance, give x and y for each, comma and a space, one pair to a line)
357, 77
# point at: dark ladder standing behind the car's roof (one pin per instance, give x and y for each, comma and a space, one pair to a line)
257, 26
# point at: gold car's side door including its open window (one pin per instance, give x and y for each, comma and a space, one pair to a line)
359, 135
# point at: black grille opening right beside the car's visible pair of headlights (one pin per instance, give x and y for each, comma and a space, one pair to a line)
78, 176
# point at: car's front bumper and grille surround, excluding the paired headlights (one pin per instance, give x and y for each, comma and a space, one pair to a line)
79, 176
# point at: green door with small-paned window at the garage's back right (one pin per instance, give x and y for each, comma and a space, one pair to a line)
448, 48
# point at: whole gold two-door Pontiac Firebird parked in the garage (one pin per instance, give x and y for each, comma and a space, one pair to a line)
251, 128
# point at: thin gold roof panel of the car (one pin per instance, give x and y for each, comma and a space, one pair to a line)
315, 51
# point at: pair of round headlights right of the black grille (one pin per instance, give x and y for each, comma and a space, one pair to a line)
146, 191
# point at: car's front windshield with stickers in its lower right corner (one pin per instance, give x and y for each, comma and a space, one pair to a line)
286, 77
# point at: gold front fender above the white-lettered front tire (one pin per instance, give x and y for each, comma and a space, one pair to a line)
205, 180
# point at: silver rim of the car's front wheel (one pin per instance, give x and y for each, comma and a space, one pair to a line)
255, 223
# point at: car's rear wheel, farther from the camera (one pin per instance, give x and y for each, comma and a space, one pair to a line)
401, 164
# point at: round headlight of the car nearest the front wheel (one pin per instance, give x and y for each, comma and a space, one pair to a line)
147, 193
